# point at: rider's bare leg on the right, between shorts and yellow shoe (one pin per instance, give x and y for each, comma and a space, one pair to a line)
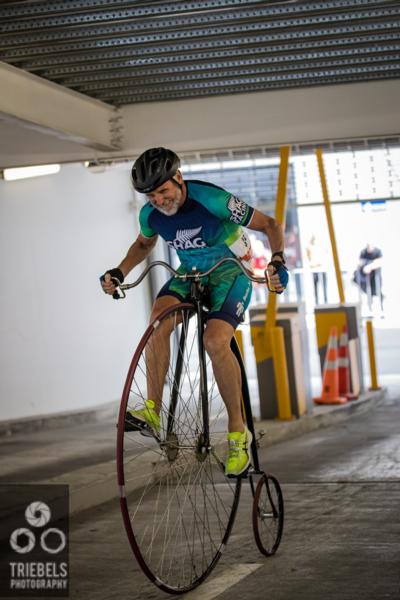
217, 339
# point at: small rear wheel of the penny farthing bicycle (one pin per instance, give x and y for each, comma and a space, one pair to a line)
268, 514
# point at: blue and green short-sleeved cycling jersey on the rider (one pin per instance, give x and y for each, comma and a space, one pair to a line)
206, 227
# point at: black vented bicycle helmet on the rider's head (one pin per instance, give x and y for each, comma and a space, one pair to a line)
153, 168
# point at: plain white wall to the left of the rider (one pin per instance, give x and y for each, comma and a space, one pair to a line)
64, 344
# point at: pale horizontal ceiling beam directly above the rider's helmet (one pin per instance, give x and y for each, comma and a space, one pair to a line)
275, 118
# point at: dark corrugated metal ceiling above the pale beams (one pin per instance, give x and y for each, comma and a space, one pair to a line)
125, 52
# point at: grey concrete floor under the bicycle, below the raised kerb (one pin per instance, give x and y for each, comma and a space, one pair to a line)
342, 526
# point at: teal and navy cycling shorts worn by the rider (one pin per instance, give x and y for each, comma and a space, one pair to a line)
228, 293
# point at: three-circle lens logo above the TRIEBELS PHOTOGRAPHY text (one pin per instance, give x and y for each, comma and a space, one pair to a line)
23, 540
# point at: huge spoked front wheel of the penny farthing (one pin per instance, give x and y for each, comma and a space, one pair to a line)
177, 505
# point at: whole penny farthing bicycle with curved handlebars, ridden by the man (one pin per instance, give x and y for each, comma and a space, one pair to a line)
177, 505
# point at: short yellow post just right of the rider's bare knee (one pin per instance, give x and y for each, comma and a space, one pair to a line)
281, 373
